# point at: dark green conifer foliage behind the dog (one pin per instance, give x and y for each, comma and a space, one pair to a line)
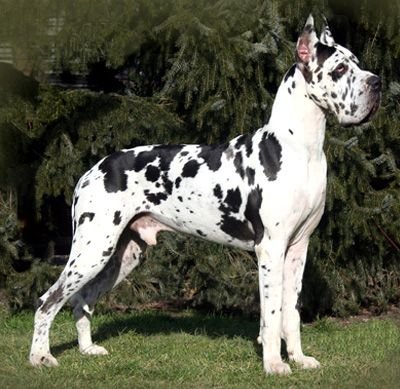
80, 79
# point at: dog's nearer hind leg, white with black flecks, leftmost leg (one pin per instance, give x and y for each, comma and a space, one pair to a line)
91, 250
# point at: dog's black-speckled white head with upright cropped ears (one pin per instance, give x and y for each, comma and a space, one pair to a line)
334, 81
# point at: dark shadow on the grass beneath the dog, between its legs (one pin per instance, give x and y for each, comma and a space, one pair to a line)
155, 323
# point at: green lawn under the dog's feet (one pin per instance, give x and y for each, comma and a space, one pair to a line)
190, 350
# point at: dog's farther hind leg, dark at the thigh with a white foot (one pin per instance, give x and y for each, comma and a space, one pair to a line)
127, 256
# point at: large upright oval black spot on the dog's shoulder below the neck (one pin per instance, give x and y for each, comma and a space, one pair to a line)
270, 155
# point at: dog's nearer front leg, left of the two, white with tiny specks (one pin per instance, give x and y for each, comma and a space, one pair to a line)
270, 254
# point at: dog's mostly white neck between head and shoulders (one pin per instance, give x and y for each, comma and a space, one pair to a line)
295, 118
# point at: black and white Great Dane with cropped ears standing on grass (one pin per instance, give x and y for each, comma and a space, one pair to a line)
263, 191
